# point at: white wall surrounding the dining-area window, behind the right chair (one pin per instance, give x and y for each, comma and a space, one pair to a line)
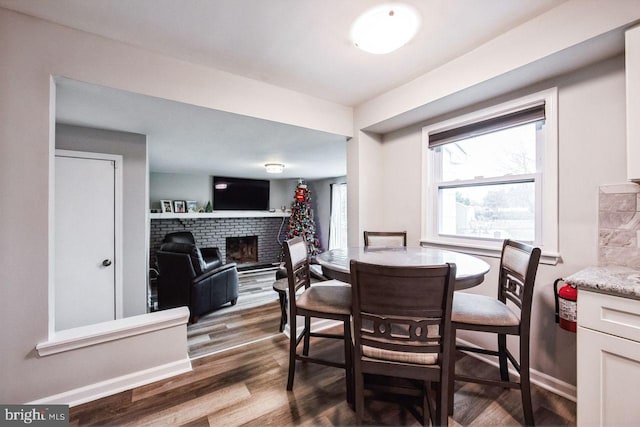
591, 152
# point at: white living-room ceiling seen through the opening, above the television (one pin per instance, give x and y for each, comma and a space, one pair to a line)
184, 138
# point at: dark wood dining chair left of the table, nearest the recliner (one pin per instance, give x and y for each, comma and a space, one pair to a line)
330, 299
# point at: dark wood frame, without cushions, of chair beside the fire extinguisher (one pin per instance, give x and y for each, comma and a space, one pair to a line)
517, 288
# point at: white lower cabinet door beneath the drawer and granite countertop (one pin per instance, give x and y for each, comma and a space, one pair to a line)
608, 379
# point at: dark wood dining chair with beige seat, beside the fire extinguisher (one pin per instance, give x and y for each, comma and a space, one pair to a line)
518, 267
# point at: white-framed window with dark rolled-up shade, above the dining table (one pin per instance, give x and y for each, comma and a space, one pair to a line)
492, 175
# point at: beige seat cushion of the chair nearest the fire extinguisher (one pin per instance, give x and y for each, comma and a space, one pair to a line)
482, 310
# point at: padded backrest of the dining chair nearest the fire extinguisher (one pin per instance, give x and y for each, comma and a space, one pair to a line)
518, 268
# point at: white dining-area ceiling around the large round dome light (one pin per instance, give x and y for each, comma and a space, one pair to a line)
297, 44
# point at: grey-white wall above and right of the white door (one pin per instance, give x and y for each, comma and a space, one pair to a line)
133, 148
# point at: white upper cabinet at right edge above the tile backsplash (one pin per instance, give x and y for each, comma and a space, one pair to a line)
632, 67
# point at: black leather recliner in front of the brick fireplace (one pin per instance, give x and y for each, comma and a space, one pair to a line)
185, 280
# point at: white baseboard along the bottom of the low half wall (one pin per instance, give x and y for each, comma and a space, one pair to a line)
112, 386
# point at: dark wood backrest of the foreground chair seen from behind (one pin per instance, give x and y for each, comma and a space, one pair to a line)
403, 309
